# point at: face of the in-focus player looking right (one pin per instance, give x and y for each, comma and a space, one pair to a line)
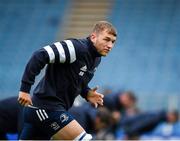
103, 42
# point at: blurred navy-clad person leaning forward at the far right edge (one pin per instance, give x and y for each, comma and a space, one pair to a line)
151, 123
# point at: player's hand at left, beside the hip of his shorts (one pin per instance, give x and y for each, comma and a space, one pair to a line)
24, 99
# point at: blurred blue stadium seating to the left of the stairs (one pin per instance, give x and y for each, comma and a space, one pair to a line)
24, 27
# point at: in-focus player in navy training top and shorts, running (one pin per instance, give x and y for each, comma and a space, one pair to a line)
70, 67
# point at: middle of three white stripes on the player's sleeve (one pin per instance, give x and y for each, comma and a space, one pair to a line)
62, 56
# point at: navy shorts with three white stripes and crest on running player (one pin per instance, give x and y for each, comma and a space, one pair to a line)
41, 124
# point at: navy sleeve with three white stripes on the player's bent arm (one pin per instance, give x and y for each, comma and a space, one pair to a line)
59, 52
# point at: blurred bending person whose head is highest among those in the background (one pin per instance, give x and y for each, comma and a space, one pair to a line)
122, 104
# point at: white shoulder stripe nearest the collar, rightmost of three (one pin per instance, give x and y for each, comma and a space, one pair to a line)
71, 50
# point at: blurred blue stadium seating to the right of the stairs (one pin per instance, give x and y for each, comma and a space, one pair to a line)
146, 56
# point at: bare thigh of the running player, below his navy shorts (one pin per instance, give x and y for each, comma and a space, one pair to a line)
69, 132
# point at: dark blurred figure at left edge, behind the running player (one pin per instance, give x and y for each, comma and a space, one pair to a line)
10, 117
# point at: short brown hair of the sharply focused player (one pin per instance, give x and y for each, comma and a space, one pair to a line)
103, 25
